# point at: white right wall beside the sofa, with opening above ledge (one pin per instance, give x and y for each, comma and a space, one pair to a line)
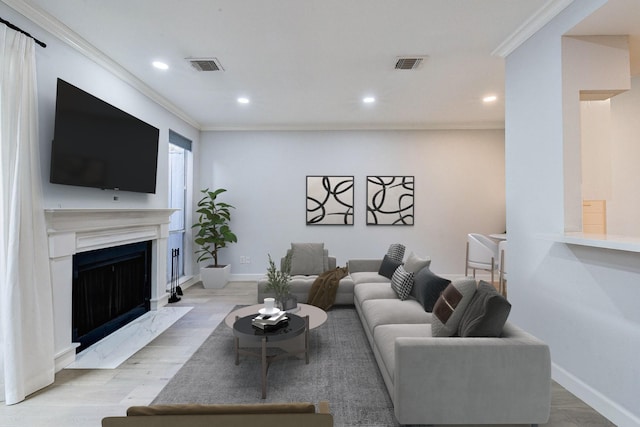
582, 301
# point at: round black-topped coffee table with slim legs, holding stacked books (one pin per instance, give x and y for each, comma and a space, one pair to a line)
296, 326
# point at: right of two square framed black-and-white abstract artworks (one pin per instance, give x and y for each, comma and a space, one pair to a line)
390, 200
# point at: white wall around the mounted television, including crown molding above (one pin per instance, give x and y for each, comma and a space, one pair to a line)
58, 60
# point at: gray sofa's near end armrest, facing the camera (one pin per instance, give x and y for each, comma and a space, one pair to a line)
472, 380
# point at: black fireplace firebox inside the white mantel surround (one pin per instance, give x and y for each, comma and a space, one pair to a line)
110, 288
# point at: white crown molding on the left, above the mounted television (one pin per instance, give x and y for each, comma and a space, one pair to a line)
52, 25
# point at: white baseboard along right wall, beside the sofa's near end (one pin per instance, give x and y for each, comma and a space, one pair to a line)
605, 406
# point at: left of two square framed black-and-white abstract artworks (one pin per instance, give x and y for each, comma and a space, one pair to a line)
329, 200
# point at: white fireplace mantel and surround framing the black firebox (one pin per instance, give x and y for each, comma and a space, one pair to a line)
71, 231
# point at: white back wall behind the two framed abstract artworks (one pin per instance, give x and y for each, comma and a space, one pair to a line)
459, 188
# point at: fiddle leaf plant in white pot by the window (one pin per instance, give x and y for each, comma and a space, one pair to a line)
213, 233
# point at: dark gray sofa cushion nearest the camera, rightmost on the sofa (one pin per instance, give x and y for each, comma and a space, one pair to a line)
486, 314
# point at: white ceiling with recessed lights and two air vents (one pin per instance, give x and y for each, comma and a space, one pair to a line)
308, 64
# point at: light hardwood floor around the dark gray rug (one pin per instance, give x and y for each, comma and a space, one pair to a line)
84, 397
